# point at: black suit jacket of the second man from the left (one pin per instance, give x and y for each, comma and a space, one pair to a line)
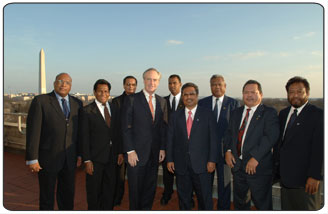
96, 136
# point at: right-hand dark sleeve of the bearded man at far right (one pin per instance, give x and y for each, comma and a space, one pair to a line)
317, 149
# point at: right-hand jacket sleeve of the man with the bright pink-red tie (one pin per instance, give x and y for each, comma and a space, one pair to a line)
215, 149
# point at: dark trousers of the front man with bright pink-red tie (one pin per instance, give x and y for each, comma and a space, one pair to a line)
202, 184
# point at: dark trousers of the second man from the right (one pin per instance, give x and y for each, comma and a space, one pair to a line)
256, 187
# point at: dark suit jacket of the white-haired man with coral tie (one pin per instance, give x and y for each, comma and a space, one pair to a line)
140, 132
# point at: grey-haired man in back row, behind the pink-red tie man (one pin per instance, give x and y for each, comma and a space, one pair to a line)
222, 107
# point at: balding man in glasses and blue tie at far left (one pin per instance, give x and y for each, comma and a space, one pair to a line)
52, 143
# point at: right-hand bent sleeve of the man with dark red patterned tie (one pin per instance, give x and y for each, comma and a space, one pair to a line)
270, 135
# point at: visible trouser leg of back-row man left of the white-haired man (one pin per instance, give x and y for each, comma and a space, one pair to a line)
120, 182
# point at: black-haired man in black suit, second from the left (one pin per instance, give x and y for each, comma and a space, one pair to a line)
100, 148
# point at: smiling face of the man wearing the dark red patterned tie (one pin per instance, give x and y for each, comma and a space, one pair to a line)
252, 95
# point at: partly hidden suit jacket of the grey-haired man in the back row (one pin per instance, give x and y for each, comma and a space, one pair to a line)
228, 105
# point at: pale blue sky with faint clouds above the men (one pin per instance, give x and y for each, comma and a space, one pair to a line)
267, 42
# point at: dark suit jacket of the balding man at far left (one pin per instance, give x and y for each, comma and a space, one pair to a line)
49, 137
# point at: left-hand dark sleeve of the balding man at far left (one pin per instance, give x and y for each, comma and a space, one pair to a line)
33, 130
